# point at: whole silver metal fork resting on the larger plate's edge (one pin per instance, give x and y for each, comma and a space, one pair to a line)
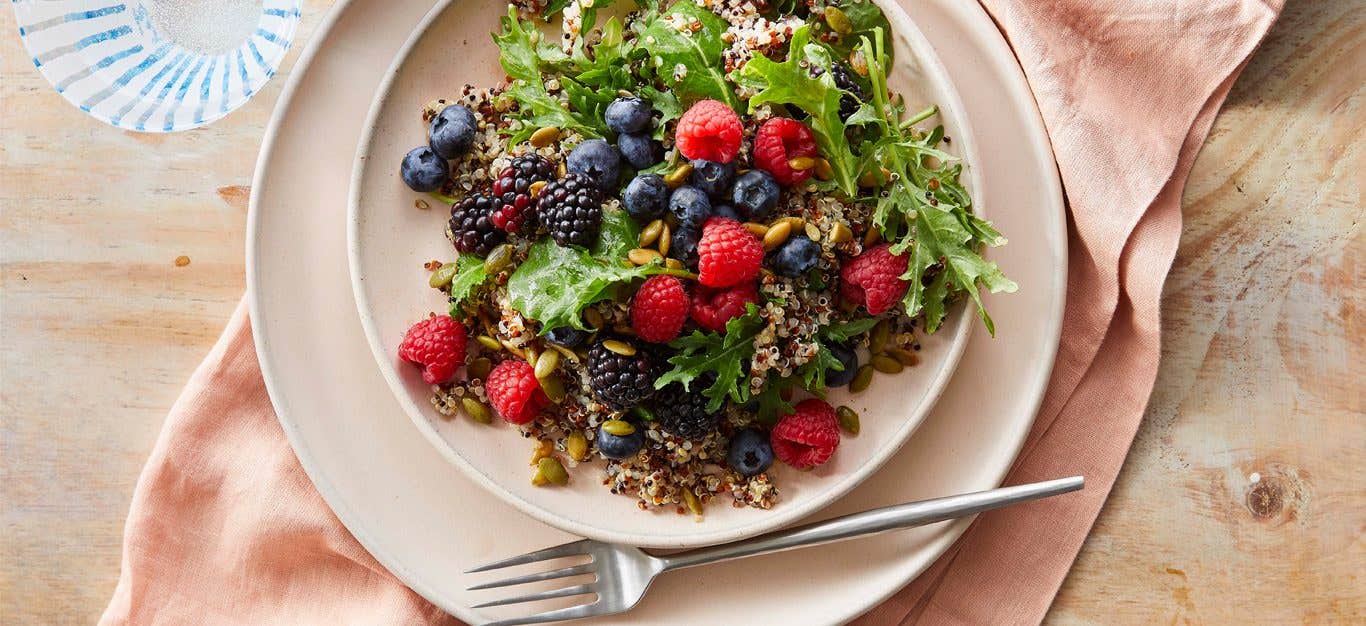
625, 573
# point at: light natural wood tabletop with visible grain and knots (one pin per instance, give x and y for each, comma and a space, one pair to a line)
1244, 498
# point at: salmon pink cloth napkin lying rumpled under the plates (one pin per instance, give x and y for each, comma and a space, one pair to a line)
226, 527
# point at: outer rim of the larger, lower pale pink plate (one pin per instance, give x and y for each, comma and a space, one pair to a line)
976, 21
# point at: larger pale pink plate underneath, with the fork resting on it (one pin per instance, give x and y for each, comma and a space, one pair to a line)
428, 523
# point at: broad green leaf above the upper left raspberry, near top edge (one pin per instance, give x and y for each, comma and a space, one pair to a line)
697, 53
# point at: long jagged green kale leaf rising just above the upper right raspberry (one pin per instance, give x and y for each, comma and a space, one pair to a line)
792, 83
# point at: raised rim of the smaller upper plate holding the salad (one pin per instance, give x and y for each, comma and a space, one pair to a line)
786, 513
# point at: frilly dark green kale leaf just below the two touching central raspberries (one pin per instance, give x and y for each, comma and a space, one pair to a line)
723, 355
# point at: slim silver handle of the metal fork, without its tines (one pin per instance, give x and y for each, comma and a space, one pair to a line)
875, 521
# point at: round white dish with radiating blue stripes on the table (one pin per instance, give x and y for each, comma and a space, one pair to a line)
139, 69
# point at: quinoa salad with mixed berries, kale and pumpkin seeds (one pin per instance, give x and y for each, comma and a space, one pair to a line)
675, 226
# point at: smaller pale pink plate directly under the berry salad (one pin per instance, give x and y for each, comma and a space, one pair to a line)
390, 243
